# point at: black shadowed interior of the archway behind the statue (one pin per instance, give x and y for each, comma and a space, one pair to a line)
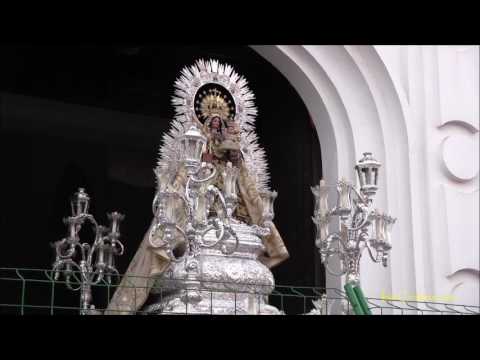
92, 115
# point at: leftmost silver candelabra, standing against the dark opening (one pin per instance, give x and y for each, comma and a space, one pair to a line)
93, 263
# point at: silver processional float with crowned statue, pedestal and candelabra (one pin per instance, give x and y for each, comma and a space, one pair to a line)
213, 214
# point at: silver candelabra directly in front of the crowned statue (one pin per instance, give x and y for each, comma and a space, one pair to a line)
182, 217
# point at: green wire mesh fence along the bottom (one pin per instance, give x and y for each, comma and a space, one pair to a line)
35, 291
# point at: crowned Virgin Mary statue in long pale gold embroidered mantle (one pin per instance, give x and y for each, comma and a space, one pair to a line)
223, 148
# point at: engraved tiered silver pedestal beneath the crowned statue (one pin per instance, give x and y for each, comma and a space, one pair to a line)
229, 284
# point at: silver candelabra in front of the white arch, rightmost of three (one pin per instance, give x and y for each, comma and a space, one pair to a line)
360, 224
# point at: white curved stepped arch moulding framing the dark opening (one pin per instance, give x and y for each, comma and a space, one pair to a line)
356, 107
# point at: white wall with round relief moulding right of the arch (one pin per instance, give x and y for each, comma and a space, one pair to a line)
442, 88
